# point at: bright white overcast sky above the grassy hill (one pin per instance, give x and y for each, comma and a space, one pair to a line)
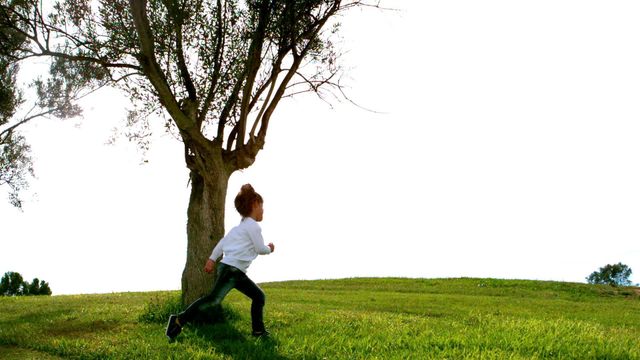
507, 147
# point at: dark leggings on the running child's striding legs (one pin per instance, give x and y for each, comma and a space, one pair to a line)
228, 277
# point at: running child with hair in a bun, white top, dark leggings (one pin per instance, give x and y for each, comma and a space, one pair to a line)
240, 247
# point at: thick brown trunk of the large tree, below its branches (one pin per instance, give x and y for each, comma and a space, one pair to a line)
205, 227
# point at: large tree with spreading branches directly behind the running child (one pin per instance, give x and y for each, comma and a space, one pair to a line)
214, 70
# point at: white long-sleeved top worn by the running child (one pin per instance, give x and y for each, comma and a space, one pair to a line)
241, 245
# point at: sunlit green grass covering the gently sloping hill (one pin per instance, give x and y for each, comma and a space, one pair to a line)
384, 318
